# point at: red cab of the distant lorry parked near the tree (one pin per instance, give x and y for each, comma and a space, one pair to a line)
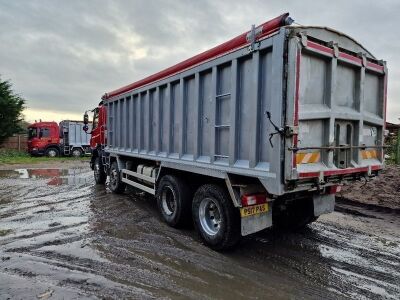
44, 138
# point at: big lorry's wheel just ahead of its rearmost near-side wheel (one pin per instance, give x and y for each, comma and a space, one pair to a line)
173, 199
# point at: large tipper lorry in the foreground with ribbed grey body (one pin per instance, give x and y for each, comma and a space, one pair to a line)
260, 131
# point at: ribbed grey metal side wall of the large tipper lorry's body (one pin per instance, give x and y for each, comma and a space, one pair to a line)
212, 114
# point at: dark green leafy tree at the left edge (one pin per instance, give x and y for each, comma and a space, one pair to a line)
11, 106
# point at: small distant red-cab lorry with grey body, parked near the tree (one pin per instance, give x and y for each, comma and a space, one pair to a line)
52, 139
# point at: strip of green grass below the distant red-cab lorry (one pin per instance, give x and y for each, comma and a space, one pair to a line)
8, 156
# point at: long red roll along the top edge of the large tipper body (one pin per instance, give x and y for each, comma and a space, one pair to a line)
241, 40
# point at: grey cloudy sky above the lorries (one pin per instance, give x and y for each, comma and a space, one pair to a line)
63, 55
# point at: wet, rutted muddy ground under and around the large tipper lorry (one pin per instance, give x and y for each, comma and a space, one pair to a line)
61, 236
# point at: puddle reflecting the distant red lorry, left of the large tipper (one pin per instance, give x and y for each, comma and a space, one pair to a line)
55, 176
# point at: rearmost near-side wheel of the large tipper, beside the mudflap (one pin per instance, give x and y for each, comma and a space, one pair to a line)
215, 217
